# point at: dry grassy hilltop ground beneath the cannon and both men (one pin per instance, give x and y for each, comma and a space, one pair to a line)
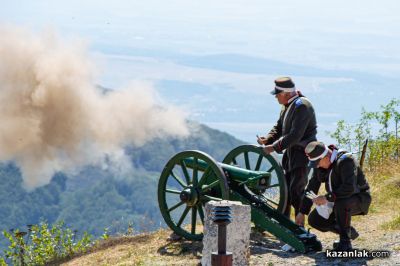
379, 230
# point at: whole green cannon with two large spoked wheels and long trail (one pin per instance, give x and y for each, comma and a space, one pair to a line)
247, 174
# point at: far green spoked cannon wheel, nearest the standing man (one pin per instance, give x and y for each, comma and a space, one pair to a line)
252, 157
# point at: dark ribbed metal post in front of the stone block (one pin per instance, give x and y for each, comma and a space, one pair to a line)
222, 217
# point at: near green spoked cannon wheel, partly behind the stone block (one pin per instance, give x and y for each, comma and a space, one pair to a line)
182, 190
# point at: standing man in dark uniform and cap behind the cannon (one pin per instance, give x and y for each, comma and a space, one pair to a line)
295, 128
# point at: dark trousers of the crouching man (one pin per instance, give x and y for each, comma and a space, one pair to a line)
340, 220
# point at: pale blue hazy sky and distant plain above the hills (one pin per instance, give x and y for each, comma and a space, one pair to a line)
217, 59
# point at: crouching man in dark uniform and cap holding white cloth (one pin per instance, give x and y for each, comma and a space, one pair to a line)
347, 189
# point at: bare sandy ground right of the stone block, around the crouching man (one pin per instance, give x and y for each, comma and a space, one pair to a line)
266, 250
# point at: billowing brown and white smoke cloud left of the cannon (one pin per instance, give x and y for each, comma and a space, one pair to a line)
53, 117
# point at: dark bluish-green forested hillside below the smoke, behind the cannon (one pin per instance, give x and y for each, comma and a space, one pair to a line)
95, 199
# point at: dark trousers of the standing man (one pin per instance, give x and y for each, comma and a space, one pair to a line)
296, 181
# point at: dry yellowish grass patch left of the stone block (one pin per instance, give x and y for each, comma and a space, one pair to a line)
144, 249
